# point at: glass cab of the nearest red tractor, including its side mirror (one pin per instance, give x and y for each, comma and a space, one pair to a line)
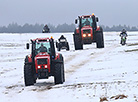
42, 47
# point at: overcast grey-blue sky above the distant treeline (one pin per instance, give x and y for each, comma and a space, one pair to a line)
110, 12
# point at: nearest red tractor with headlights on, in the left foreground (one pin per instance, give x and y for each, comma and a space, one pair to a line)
43, 62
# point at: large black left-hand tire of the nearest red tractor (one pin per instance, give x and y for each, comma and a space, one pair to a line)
28, 75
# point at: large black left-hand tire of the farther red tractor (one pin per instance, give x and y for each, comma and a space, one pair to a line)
77, 42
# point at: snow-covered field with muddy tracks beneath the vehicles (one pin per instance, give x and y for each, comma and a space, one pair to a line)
92, 74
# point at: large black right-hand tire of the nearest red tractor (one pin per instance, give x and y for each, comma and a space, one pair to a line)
59, 76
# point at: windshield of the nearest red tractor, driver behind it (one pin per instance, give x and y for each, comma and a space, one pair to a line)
42, 47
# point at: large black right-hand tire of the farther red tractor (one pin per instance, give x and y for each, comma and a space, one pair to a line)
99, 39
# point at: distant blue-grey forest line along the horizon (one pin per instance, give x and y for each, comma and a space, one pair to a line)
37, 28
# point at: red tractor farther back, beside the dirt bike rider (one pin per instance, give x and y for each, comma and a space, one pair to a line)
88, 32
